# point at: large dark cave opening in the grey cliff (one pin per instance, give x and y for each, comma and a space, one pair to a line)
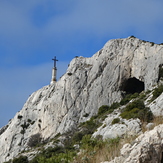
133, 85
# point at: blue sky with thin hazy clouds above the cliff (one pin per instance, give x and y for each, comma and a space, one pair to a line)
33, 32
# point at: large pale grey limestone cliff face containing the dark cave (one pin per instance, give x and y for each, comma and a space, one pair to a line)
88, 84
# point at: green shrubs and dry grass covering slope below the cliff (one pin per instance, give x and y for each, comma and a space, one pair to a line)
80, 147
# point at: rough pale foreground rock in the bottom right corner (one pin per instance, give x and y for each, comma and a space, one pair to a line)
147, 148
